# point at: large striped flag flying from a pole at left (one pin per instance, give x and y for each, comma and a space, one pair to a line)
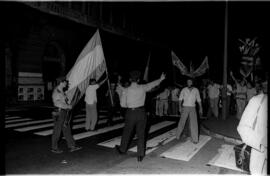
90, 64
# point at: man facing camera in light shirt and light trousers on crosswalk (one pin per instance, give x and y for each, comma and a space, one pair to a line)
188, 96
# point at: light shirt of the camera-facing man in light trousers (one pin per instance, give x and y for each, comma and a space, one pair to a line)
190, 97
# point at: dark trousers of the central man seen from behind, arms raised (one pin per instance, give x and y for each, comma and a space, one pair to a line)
135, 119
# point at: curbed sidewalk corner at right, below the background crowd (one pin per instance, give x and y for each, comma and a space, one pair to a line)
222, 129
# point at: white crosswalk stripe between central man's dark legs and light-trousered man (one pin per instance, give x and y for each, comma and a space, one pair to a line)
153, 143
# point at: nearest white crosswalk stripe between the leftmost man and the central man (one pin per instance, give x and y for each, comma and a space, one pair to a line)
99, 131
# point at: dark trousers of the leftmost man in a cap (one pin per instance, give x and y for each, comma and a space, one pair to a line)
61, 123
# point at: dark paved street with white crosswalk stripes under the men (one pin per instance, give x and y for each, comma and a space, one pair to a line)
28, 143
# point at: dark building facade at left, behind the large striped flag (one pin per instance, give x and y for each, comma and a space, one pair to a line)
43, 40
